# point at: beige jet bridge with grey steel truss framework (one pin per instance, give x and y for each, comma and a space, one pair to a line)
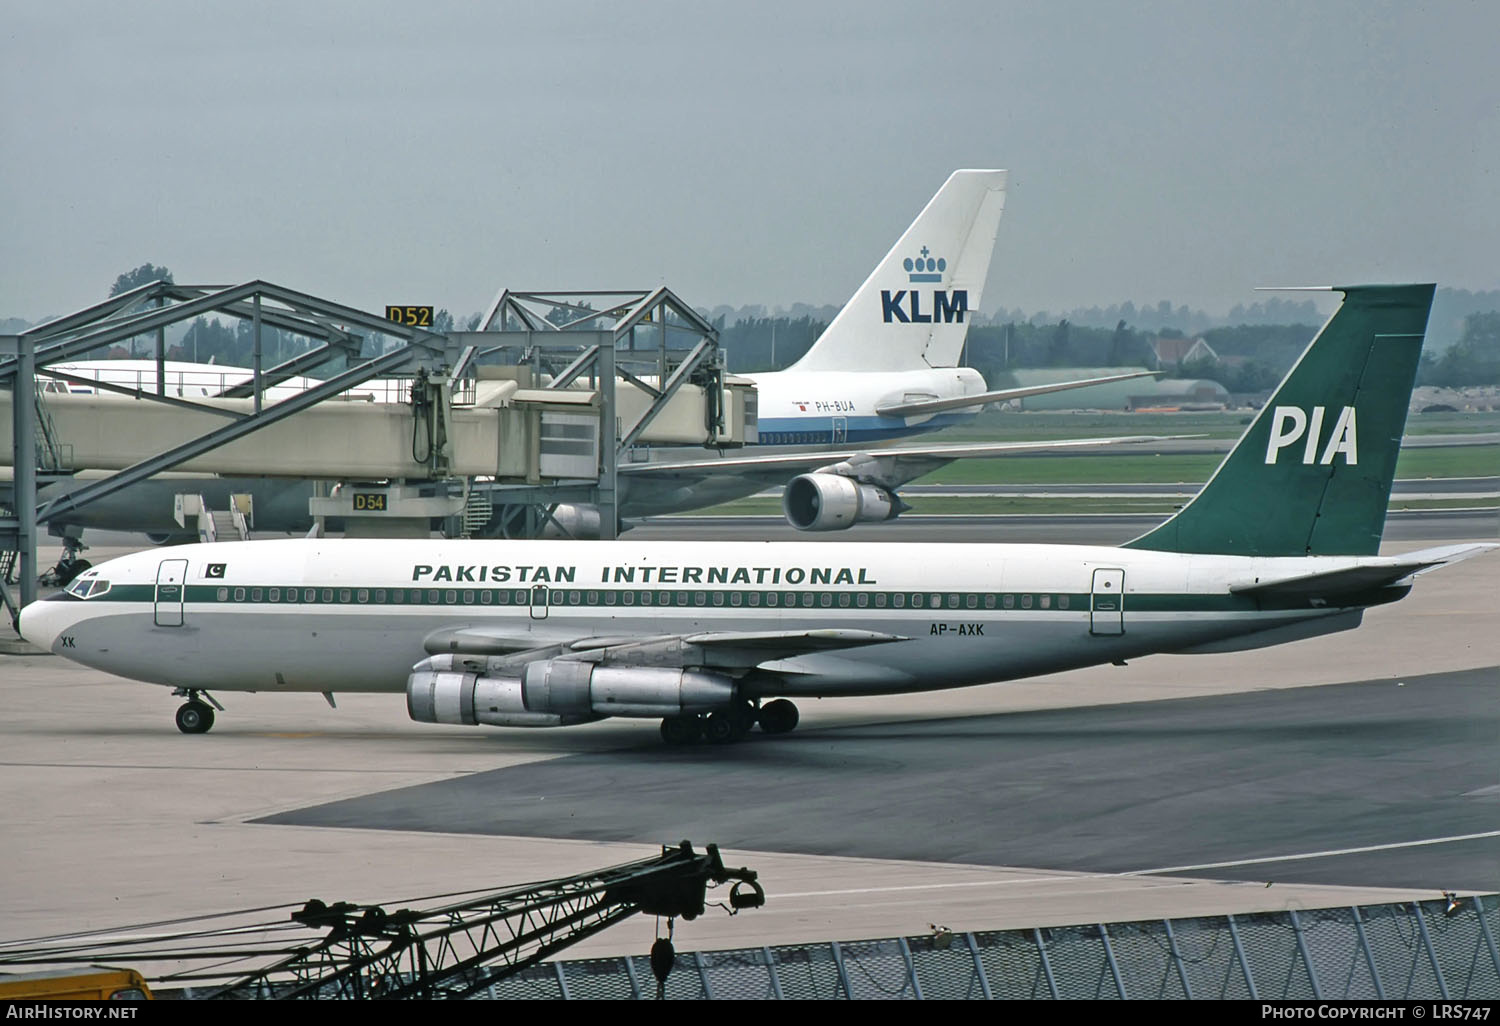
533, 436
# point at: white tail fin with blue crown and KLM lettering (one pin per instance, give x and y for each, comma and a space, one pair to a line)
914, 311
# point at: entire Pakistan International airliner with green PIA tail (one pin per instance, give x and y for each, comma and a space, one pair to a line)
715, 640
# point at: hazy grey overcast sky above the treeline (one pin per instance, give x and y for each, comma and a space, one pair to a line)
743, 152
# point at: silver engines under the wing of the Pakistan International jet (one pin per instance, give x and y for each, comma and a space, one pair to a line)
457, 689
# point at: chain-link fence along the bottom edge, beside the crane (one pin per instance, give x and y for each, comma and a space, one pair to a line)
1411, 950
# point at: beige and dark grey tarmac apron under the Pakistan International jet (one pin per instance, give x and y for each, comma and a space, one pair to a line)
1351, 769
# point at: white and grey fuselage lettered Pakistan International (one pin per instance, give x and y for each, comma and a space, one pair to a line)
350, 616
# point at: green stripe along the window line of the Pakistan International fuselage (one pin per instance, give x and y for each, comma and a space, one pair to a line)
934, 602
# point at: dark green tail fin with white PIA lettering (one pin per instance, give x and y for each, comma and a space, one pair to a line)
1313, 473
